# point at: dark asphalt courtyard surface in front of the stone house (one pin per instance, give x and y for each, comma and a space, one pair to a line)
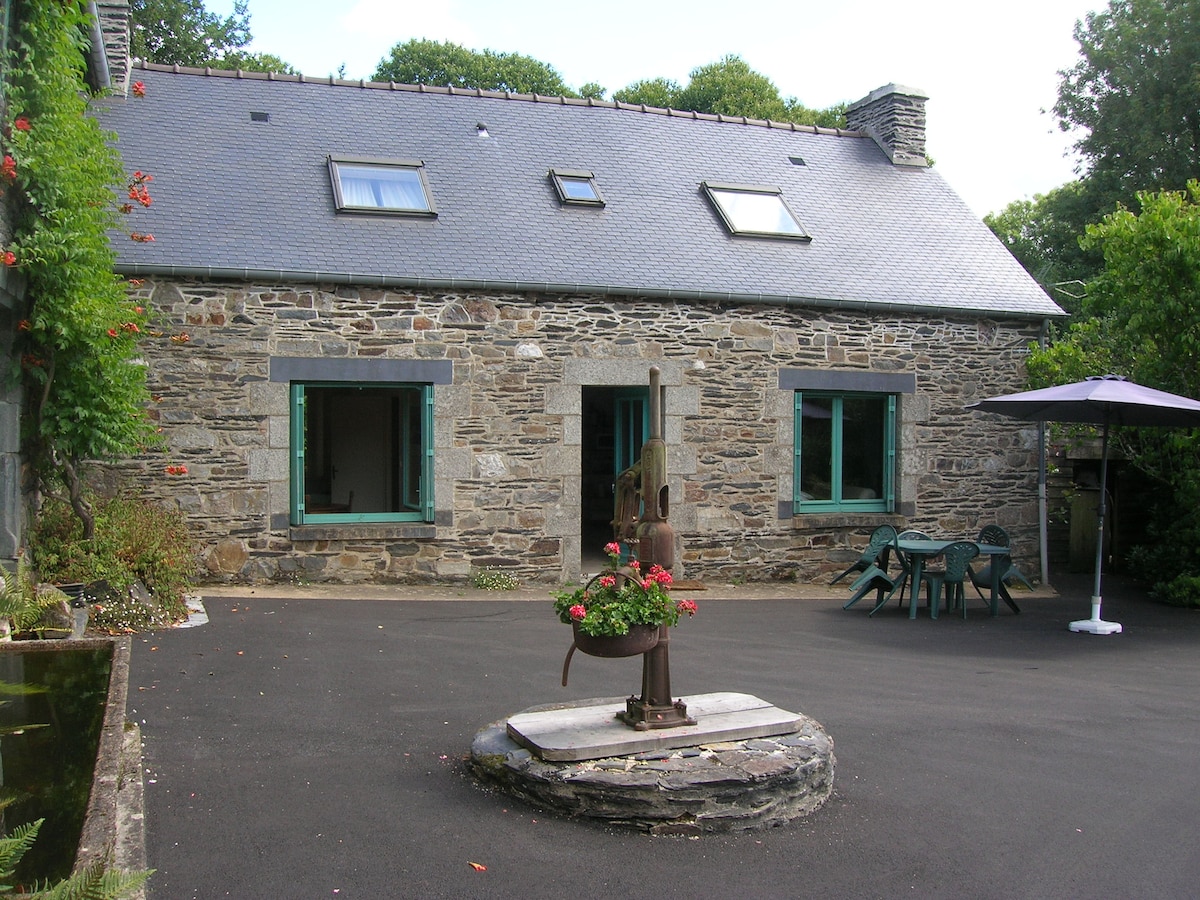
313, 746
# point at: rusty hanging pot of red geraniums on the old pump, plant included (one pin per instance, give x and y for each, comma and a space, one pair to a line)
621, 611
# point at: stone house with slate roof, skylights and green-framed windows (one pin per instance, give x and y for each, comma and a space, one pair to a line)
412, 329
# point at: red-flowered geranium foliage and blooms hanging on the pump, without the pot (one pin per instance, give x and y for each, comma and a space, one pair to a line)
620, 598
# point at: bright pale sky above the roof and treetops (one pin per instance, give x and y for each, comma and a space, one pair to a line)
991, 69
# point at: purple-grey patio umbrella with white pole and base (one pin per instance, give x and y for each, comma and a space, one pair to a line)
1100, 400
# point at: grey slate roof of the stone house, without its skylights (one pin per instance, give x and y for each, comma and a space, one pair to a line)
242, 199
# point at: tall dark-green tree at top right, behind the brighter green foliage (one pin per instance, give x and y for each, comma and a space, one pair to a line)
1135, 101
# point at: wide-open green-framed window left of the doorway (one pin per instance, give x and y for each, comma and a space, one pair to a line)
362, 453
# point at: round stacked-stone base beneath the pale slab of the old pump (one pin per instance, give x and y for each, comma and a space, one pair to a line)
722, 787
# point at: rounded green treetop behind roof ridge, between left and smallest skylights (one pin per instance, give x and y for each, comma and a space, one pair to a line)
452, 65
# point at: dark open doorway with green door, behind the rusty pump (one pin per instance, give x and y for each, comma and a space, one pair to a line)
615, 425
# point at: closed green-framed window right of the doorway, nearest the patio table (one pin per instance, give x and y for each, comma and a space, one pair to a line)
845, 453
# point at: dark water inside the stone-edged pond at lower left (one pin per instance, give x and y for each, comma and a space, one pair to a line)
49, 771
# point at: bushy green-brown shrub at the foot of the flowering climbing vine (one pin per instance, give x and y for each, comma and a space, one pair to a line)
136, 542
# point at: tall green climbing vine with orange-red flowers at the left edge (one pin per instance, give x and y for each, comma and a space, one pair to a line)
86, 394
